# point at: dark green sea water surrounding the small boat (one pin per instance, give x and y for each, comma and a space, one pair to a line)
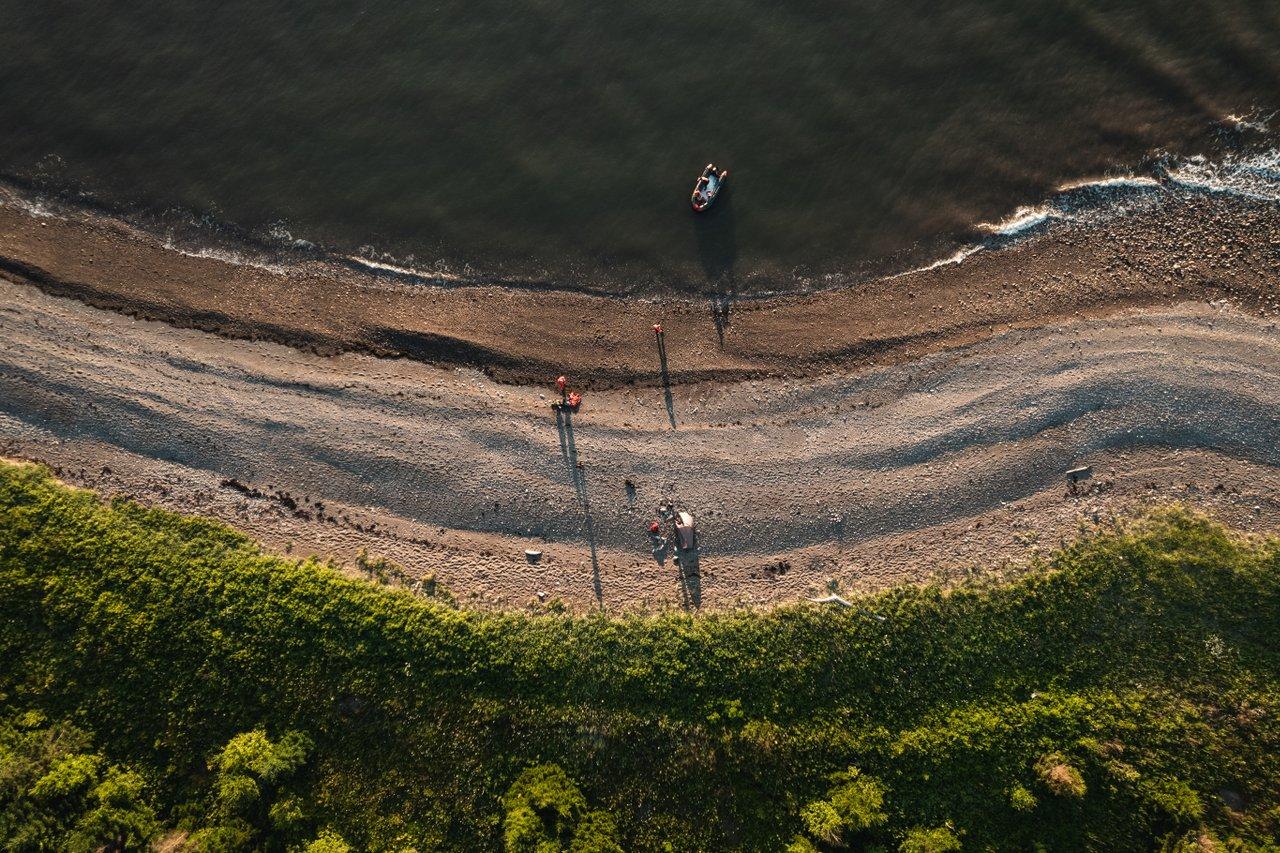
560, 140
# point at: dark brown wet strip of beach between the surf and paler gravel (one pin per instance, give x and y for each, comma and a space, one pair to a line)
1180, 245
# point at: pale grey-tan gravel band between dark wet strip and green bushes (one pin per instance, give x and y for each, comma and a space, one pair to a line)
863, 478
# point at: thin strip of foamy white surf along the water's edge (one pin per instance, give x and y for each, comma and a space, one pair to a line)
1254, 176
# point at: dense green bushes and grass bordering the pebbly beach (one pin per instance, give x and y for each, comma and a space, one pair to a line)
162, 678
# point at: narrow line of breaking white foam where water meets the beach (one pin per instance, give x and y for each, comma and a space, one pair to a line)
1085, 200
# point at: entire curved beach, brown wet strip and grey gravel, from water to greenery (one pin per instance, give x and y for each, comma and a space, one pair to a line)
911, 405
